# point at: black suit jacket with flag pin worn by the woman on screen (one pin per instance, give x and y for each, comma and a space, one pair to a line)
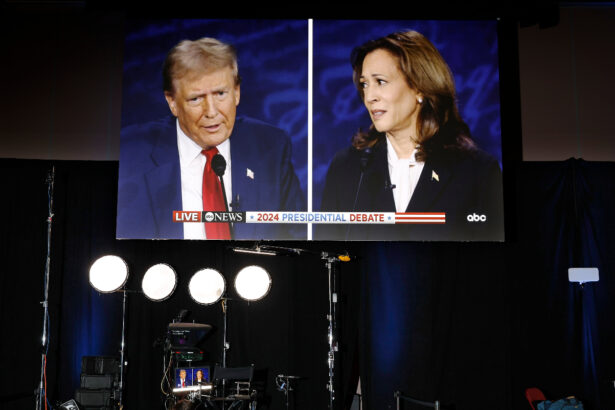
460, 183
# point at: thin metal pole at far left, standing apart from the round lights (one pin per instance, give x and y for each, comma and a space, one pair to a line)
40, 392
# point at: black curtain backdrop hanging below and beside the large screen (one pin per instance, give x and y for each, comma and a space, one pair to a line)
470, 324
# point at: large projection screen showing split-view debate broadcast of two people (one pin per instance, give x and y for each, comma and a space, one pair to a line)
291, 170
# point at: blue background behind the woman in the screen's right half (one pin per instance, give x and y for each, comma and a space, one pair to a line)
469, 47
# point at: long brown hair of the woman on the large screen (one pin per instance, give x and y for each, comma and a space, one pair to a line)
439, 125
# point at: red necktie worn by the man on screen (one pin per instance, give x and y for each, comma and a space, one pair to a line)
213, 199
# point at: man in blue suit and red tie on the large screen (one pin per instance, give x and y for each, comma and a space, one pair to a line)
166, 165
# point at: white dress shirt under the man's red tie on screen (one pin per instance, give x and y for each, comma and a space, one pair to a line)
192, 164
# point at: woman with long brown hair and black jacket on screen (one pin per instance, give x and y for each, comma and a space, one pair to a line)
418, 154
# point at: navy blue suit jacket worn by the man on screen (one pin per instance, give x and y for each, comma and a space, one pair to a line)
149, 187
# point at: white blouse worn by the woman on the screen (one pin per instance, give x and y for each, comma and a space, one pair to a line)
404, 174
